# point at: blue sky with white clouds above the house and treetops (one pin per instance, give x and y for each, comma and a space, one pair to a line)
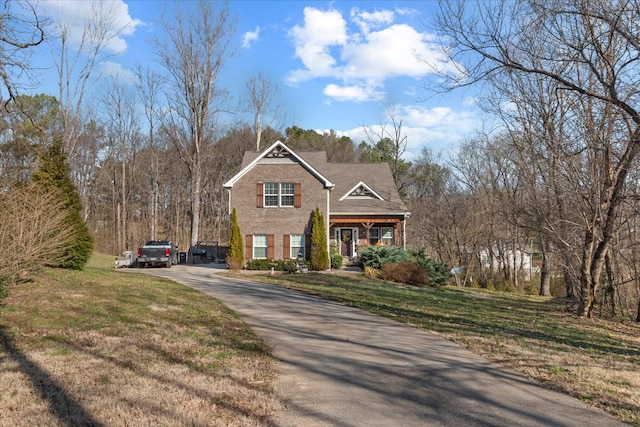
337, 65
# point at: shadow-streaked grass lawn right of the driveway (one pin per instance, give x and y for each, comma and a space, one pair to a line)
534, 335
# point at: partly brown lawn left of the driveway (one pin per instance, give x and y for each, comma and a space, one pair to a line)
102, 348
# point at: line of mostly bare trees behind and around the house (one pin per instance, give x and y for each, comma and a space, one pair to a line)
553, 179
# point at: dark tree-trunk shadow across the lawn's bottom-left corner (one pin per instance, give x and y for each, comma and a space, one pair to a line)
64, 406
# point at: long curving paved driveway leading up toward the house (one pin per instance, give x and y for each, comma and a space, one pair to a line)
344, 367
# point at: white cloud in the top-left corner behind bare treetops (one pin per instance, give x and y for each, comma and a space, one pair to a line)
73, 14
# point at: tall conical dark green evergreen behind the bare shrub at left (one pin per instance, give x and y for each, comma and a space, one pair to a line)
53, 176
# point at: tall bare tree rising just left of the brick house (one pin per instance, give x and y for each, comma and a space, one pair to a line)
193, 54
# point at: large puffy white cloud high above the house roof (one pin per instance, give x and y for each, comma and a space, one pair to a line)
364, 55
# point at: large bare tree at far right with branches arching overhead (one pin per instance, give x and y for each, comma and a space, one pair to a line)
591, 51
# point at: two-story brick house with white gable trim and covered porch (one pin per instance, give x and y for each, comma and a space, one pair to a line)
277, 190
